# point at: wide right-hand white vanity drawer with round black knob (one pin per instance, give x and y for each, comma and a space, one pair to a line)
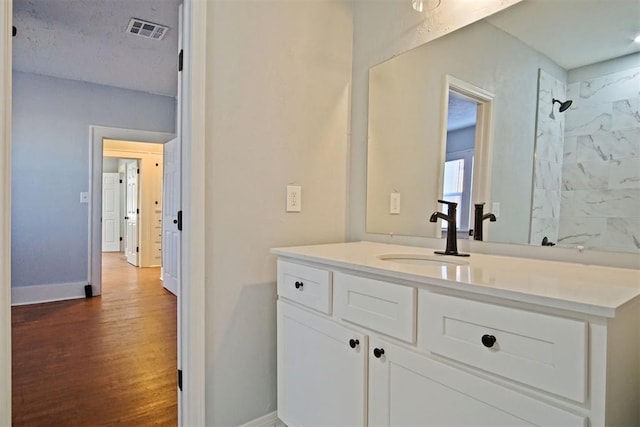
540, 350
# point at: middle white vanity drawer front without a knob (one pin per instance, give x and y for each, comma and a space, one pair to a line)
378, 305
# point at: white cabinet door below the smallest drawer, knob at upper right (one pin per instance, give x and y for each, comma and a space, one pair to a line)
322, 370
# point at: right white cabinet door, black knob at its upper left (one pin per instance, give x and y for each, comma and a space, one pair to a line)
411, 389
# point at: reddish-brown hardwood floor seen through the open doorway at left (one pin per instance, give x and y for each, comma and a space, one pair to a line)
106, 360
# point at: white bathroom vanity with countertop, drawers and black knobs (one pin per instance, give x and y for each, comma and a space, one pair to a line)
378, 334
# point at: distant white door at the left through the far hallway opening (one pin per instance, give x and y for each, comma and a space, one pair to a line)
110, 212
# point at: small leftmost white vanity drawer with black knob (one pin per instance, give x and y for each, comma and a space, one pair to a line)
306, 285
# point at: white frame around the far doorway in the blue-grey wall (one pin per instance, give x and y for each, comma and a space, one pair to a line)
97, 134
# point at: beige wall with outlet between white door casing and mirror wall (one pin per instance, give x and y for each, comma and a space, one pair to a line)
277, 112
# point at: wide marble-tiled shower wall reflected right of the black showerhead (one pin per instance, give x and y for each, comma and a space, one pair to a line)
600, 198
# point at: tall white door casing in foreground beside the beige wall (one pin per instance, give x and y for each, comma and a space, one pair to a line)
191, 400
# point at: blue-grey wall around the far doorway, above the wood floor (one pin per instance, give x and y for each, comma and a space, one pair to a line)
50, 157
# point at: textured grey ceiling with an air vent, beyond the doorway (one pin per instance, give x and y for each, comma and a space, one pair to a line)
86, 40
